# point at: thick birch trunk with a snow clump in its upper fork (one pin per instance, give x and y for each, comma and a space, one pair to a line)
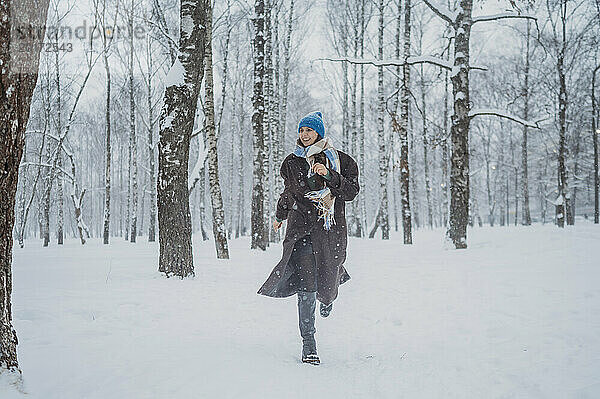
182, 86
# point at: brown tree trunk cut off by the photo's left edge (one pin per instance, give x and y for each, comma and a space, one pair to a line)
18, 77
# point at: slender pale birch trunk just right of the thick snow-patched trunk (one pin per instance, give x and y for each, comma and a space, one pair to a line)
219, 231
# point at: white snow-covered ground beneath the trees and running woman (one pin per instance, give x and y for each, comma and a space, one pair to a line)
517, 315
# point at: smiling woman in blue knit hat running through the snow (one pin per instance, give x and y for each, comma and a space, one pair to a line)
318, 180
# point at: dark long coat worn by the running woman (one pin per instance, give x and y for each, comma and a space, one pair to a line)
329, 247
